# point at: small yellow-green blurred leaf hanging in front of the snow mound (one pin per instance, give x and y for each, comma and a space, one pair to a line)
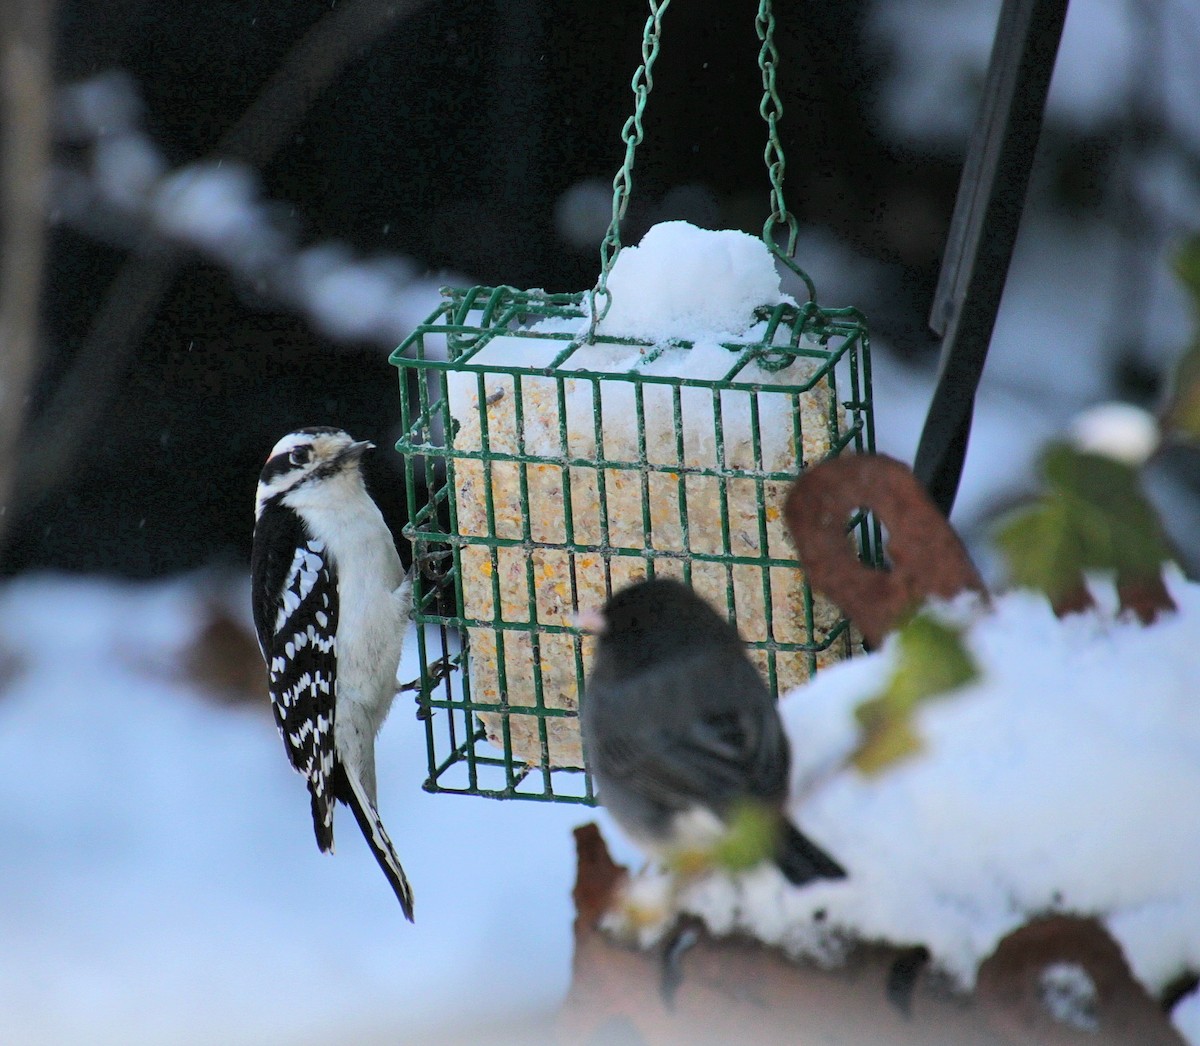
932, 662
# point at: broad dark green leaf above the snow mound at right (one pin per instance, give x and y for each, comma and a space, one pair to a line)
1094, 516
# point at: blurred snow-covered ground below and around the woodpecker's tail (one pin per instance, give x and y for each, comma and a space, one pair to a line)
160, 882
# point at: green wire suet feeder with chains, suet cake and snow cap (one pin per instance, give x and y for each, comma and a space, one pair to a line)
560, 447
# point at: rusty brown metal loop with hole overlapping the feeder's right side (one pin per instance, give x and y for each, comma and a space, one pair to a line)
927, 557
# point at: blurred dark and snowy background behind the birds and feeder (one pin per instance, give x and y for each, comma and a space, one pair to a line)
250, 206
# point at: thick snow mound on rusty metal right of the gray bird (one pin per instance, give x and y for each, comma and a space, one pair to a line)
1060, 782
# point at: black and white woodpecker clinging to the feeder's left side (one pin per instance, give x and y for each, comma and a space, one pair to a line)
332, 605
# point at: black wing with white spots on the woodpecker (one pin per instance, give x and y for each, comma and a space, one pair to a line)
297, 633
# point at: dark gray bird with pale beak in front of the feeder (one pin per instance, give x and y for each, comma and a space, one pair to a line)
681, 730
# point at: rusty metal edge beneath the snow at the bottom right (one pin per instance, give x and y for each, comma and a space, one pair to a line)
741, 991
